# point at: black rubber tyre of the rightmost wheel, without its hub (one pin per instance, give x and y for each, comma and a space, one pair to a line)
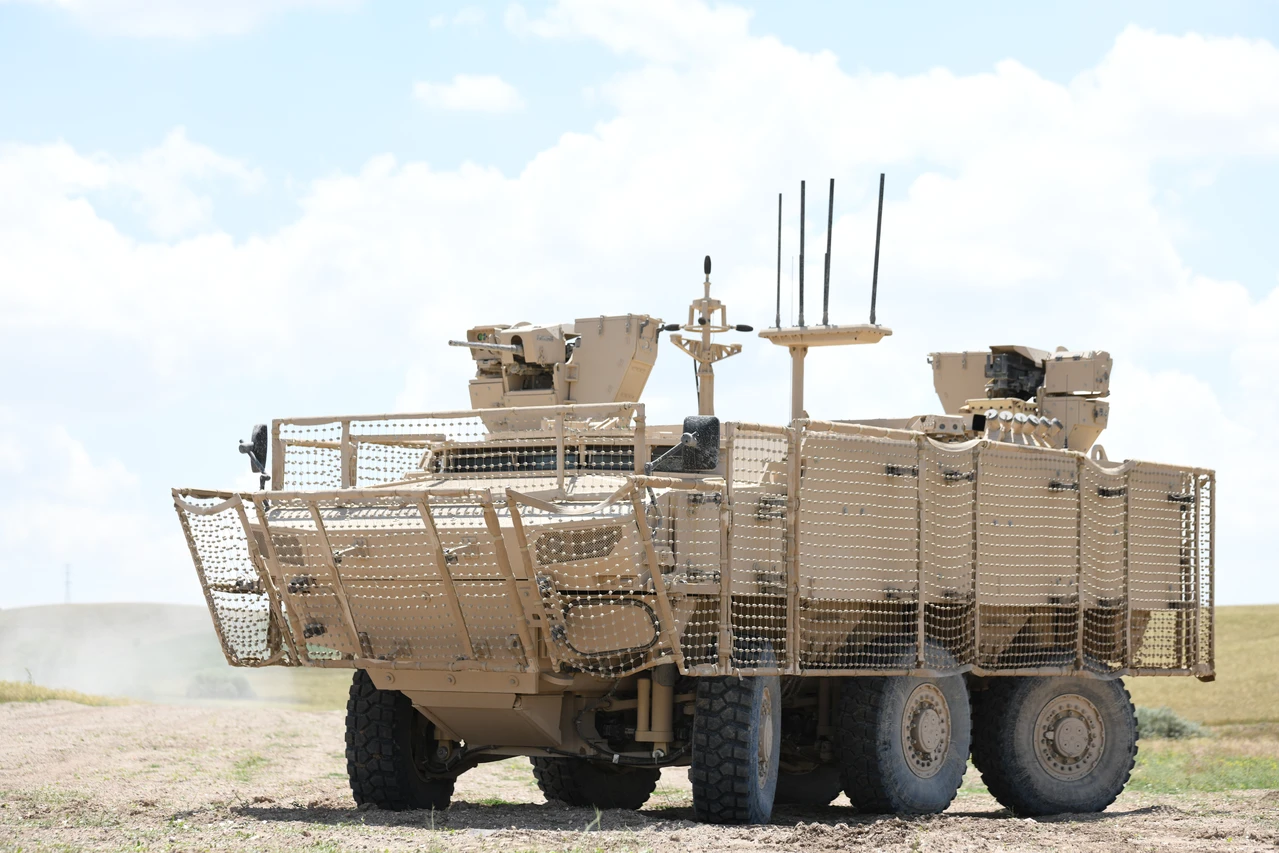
1005, 745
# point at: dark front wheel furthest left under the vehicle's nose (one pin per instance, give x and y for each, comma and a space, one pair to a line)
389, 747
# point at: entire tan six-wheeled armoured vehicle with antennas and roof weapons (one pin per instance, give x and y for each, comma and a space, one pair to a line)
791, 611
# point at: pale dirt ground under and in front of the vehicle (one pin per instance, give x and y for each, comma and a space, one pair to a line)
162, 778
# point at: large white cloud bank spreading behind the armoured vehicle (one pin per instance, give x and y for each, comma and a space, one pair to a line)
1020, 210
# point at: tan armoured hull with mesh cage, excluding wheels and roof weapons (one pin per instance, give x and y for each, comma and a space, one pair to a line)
503, 598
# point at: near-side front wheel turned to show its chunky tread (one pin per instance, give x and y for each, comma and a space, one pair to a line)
737, 746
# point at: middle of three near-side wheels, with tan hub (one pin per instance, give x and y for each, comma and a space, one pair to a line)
904, 741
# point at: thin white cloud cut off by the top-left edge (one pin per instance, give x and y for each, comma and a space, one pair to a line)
181, 19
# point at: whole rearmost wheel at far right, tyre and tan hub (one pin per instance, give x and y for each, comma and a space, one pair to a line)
1055, 745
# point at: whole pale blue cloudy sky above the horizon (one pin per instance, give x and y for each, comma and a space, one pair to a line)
214, 213
